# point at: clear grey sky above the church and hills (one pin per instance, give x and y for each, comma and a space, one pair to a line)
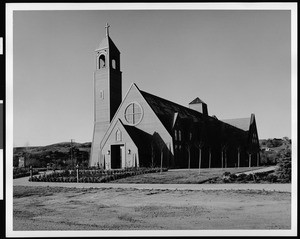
237, 61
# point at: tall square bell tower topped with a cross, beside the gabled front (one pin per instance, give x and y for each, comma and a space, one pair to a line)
107, 92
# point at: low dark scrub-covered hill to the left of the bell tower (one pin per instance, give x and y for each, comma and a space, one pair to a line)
59, 154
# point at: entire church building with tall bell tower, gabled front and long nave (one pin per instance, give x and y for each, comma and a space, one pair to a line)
144, 130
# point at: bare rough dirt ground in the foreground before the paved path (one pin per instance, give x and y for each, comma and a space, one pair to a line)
60, 208
